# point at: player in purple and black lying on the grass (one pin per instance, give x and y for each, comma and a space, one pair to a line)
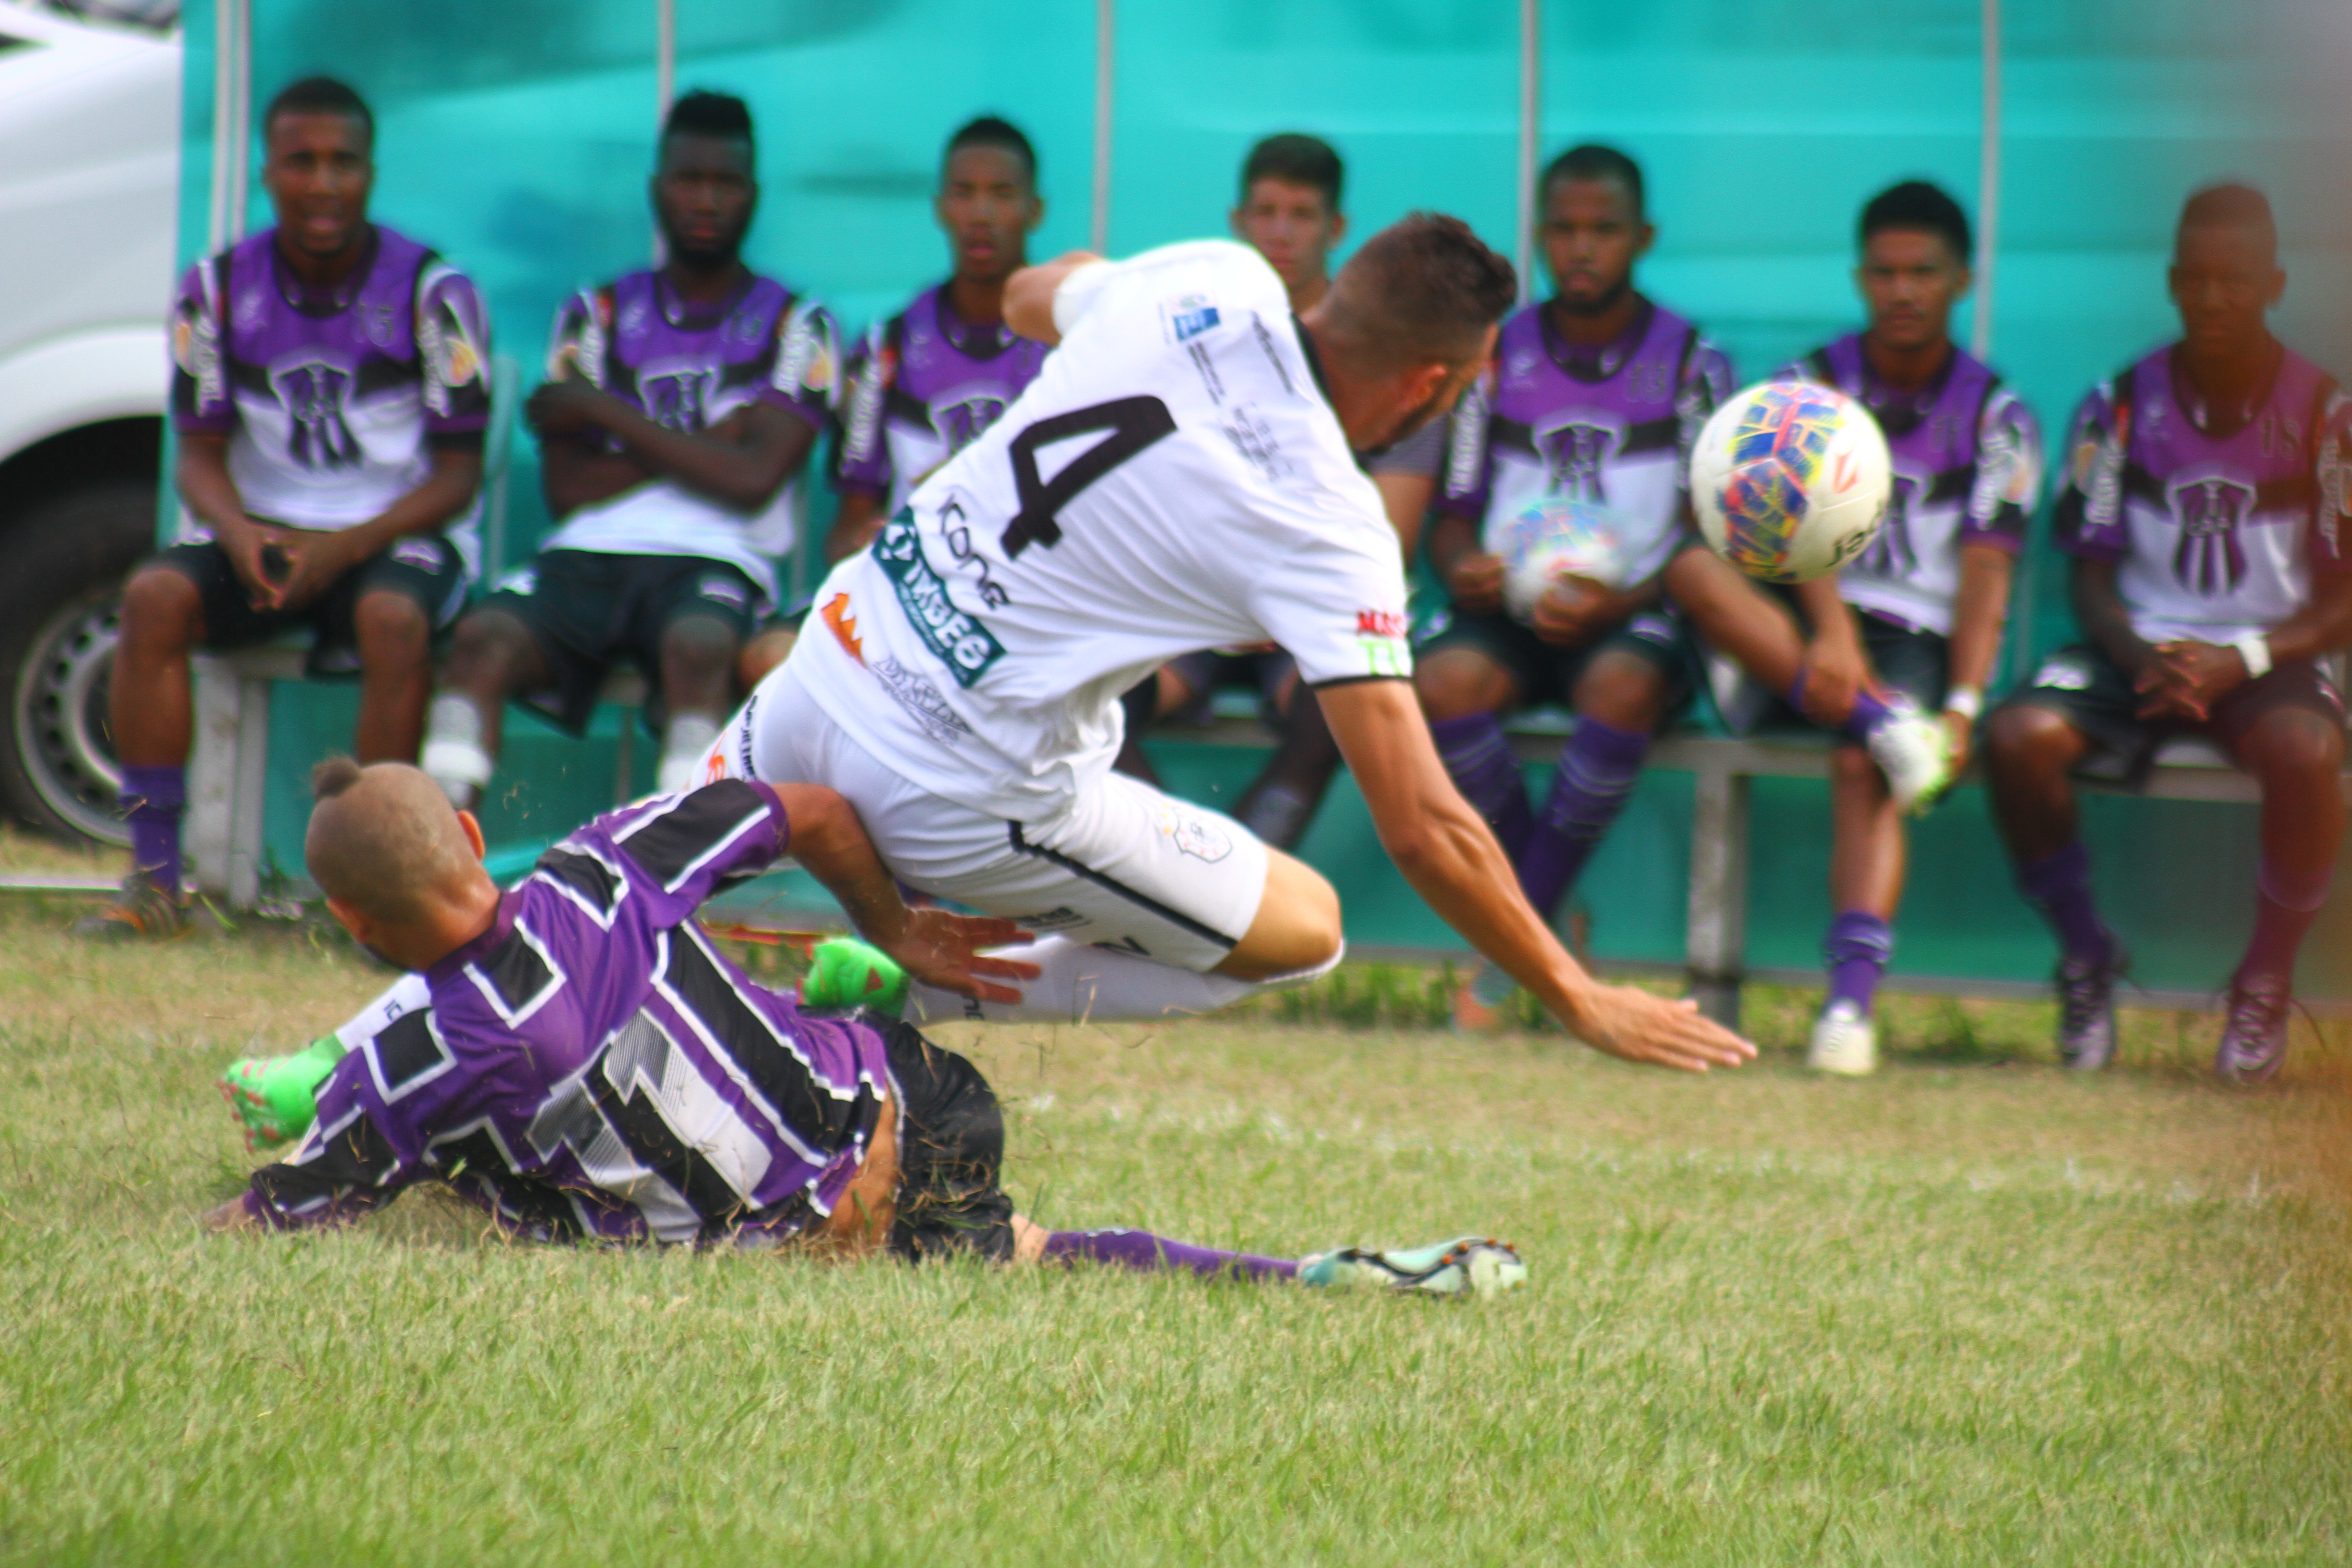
580, 1059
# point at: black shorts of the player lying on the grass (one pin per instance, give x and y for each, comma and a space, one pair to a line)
951, 1151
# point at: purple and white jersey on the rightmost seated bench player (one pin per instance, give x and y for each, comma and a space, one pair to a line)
2217, 532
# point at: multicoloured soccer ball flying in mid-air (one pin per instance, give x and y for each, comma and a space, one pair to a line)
1791, 481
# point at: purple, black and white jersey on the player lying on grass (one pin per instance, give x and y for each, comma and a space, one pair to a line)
594, 1066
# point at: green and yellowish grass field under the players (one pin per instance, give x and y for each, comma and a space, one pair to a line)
1965, 1313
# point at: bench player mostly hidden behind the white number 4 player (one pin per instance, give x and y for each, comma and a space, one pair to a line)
1290, 213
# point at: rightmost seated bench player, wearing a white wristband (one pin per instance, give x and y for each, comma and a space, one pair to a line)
2205, 502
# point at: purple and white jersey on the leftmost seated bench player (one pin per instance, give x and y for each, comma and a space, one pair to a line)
330, 398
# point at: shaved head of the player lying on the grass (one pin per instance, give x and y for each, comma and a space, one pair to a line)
387, 843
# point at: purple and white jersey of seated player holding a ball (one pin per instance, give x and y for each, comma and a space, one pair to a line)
1608, 424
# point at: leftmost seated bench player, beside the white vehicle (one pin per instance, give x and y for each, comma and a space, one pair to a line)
330, 394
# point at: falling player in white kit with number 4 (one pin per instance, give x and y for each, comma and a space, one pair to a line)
1180, 476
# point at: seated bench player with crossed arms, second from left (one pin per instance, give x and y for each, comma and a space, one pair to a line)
679, 413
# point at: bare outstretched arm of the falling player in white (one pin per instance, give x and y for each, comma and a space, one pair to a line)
1457, 866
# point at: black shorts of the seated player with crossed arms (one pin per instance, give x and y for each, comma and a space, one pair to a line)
589, 610
